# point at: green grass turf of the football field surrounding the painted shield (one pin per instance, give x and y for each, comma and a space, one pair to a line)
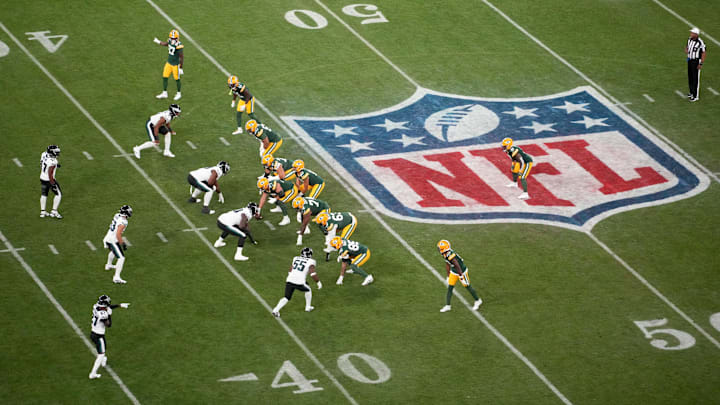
561, 300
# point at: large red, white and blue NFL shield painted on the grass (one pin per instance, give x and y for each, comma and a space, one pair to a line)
437, 158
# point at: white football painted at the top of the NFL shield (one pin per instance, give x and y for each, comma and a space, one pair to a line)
461, 122
